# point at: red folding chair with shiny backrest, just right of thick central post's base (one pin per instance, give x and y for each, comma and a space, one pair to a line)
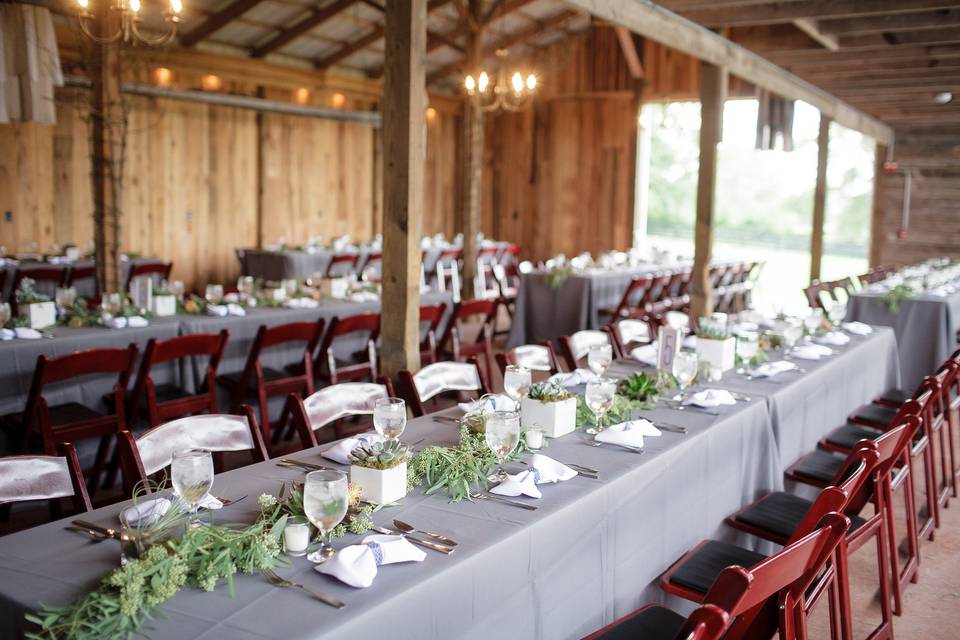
439, 378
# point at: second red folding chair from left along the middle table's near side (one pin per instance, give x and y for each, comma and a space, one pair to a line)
166, 401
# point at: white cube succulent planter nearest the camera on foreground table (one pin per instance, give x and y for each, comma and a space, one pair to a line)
380, 470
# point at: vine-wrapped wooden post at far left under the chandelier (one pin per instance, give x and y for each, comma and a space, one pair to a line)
108, 129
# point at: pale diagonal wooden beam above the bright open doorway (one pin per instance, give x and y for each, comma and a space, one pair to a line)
660, 25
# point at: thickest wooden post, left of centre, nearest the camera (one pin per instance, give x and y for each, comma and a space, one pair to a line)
404, 144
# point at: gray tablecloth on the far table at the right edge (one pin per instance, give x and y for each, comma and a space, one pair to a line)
926, 328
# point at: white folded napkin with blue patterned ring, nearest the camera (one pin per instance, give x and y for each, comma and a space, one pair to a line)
357, 564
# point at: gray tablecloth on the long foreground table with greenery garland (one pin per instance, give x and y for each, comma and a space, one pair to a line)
590, 553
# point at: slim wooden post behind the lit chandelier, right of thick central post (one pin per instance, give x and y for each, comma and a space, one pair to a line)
469, 205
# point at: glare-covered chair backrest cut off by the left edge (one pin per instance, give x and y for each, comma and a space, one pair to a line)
26, 478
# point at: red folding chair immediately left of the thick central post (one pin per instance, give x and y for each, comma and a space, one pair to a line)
363, 363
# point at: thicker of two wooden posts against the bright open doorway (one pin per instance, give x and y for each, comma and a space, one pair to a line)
713, 93
